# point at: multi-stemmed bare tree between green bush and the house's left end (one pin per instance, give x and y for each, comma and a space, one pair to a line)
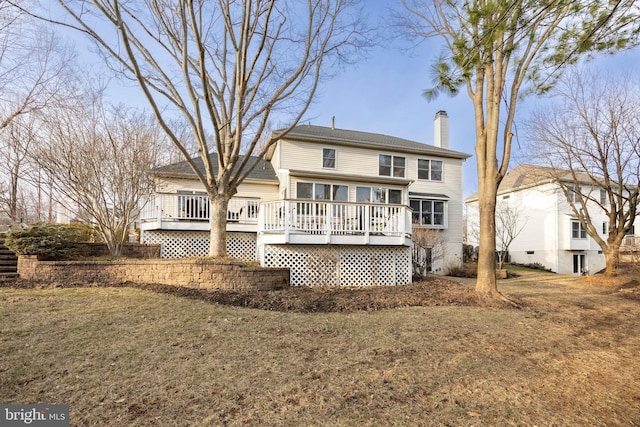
99, 158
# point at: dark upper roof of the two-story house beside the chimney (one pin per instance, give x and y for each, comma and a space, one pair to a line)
327, 135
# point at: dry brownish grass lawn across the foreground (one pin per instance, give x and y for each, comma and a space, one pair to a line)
130, 357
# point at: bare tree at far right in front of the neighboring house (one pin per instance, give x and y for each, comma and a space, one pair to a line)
590, 136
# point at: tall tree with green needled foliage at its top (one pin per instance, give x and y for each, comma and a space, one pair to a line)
499, 51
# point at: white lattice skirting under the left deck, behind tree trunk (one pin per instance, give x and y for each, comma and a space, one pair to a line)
184, 244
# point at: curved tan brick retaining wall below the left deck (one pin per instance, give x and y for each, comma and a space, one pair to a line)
203, 274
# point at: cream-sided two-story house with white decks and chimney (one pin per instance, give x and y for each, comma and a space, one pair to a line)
335, 206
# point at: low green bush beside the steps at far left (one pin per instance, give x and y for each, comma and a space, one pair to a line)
52, 241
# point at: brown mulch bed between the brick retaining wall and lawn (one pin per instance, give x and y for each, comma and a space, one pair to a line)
431, 292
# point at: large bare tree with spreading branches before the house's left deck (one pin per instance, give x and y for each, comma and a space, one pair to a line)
228, 67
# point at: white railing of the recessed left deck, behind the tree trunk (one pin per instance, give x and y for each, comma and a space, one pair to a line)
165, 207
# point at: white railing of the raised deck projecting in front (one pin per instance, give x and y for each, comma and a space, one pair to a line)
335, 218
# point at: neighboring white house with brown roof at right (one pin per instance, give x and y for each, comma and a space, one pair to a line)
551, 234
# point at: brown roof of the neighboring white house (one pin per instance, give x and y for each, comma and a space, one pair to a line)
527, 176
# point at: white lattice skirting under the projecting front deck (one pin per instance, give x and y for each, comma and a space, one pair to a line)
341, 265
